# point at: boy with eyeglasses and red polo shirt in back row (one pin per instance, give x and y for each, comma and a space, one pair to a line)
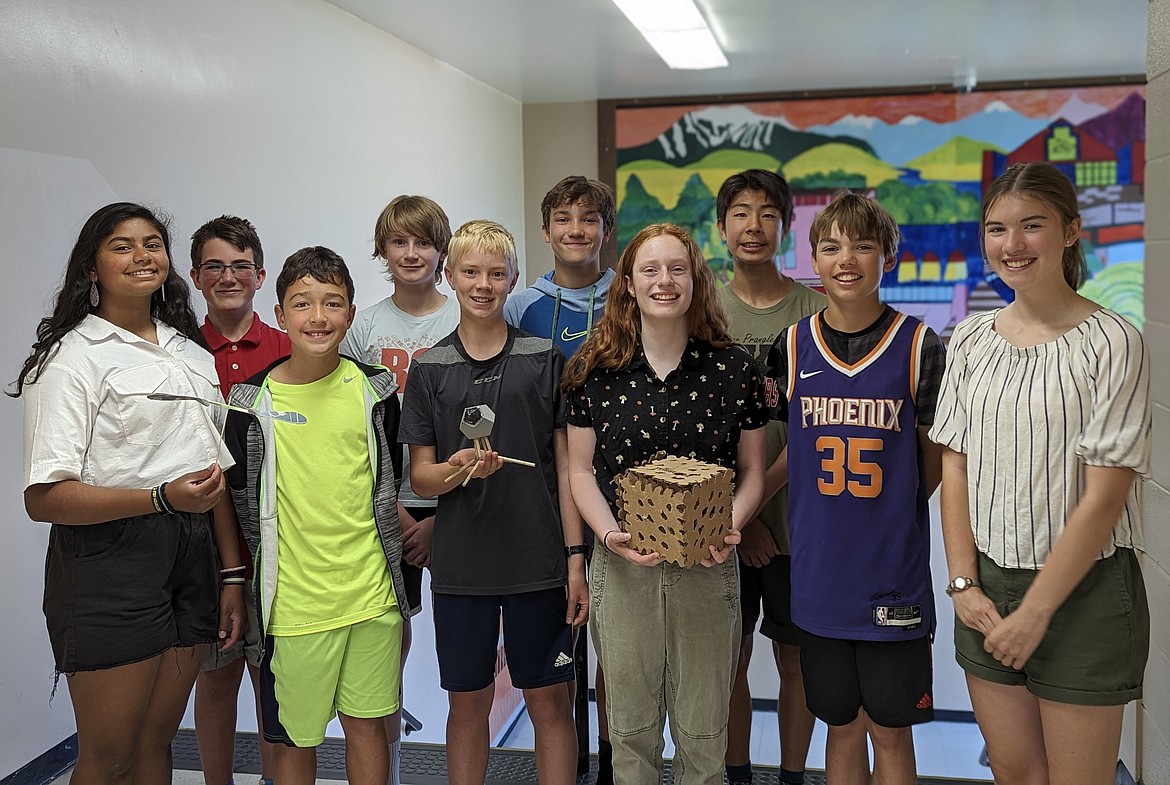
228, 266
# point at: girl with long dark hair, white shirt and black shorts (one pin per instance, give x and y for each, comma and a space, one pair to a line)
130, 486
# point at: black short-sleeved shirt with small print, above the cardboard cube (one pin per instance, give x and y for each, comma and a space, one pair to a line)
698, 411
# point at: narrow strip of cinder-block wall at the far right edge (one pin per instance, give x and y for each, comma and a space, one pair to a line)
1153, 727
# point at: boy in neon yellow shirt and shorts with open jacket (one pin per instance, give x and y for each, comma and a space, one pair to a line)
318, 504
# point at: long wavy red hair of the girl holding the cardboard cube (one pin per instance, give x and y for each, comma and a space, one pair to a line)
614, 343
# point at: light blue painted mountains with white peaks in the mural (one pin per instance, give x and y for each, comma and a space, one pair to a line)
997, 126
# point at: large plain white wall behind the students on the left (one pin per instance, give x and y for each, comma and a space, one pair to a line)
290, 113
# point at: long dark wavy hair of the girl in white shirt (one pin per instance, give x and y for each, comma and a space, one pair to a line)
171, 304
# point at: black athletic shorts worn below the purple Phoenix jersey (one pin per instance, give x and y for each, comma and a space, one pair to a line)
891, 680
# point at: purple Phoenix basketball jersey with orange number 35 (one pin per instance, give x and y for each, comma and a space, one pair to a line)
857, 507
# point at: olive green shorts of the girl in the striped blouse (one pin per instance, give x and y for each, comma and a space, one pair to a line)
1096, 648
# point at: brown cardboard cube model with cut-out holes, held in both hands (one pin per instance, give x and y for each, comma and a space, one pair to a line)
676, 507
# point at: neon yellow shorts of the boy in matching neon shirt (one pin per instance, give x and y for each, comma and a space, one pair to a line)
354, 671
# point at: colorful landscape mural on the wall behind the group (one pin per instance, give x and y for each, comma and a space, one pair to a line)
927, 159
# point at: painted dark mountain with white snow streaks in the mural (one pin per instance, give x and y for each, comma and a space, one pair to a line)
698, 134
